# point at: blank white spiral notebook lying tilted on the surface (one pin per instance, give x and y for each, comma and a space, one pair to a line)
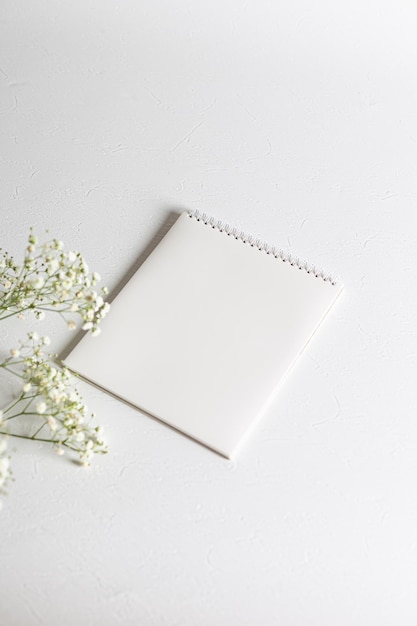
203, 334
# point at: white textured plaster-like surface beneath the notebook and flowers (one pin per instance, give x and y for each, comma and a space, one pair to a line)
295, 121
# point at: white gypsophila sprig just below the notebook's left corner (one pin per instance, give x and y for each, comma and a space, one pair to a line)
49, 396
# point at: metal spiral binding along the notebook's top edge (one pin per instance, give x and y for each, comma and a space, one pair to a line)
261, 246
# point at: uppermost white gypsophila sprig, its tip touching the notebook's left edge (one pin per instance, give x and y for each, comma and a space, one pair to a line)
51, 279
